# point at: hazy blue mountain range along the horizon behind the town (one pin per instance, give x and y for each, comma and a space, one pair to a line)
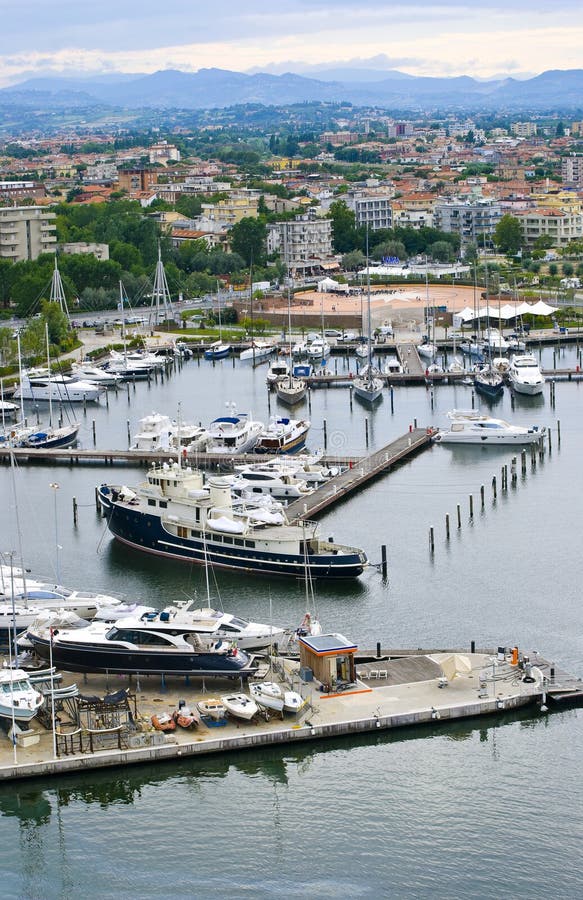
554, 90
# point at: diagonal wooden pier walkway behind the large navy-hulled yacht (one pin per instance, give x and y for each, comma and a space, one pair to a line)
359, 473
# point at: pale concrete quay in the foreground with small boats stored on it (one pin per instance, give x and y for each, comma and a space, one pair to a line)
418, 688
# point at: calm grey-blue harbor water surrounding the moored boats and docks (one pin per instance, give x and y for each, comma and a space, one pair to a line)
482, 809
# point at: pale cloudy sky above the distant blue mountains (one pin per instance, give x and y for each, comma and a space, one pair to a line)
421, 37
